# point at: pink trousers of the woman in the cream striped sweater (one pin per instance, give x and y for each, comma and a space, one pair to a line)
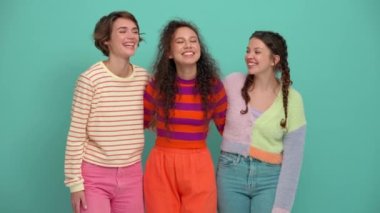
113, 190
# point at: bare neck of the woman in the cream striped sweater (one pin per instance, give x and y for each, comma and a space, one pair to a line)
119, 67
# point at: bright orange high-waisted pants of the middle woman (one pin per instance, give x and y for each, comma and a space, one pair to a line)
179, 181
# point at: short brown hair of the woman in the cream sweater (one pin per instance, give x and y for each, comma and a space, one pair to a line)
103, 29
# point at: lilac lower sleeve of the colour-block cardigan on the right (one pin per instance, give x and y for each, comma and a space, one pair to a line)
290, 170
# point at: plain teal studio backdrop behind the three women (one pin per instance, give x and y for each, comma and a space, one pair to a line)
333, 54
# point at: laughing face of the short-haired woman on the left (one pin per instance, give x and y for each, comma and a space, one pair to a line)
124, 38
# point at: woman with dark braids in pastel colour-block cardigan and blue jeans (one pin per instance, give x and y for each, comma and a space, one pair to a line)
264, 135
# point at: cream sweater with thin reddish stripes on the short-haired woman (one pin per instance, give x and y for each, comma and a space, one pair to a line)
106, 121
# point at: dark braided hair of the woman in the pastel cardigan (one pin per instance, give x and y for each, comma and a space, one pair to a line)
277, 44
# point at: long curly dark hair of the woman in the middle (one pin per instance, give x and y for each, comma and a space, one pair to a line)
165, 72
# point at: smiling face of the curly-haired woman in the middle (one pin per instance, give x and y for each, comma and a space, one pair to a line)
185, 47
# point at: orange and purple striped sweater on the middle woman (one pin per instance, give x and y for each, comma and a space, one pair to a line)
187, 126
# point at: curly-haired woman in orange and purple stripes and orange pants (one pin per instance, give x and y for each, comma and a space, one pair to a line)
183, 96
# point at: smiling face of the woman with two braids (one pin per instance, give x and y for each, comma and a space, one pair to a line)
259, 58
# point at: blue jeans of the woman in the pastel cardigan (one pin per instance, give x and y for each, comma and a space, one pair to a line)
245, 184
